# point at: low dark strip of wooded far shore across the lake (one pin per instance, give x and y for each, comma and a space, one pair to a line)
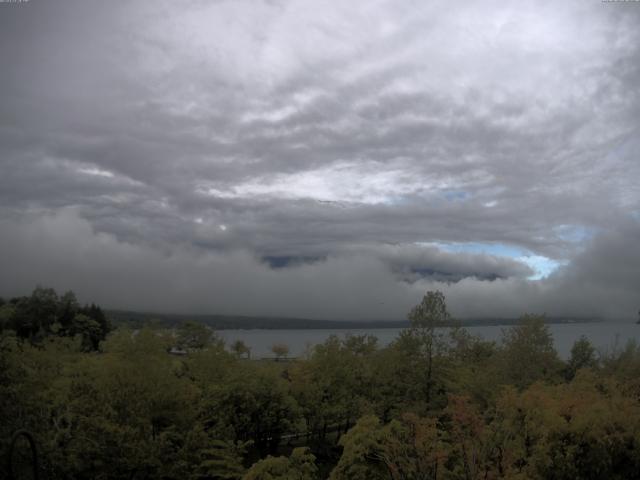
240, 322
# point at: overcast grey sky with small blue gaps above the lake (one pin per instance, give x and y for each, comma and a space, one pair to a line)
325, 159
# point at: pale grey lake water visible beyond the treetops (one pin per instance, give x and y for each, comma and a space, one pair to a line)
605, 336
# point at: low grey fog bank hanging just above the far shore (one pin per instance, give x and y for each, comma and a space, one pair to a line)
63, 251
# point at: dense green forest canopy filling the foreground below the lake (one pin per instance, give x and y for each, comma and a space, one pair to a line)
437, 403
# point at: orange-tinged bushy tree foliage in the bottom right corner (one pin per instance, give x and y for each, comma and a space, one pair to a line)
586, 429
